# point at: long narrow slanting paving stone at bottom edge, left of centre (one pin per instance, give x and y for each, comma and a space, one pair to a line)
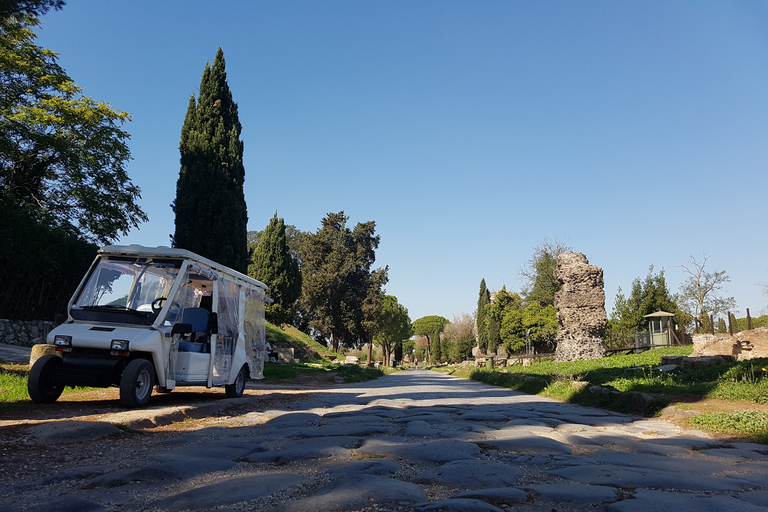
228, 491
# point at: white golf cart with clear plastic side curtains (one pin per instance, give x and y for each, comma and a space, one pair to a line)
146, 316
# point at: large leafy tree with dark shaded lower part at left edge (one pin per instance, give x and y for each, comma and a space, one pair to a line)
63, 184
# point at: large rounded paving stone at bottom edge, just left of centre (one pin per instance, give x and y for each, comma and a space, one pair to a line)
356, 493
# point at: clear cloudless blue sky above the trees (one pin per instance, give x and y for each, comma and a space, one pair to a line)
470, 131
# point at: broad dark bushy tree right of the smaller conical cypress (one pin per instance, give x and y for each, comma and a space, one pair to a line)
341, 294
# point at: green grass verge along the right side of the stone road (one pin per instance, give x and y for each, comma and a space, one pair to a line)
620, 374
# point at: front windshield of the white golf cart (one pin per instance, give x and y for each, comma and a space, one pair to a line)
126, 290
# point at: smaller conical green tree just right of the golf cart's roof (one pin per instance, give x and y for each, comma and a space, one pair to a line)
273, 265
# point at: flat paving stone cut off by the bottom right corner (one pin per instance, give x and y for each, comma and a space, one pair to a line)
661, 501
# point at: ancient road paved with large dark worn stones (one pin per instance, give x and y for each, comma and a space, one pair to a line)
412, 441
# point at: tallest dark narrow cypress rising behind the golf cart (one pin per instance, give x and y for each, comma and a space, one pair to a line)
211, 214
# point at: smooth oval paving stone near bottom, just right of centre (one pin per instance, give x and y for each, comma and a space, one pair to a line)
471, 474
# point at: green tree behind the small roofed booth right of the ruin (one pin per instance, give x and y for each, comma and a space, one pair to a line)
646, 297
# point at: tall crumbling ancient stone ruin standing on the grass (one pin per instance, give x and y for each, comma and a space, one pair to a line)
580, 307
